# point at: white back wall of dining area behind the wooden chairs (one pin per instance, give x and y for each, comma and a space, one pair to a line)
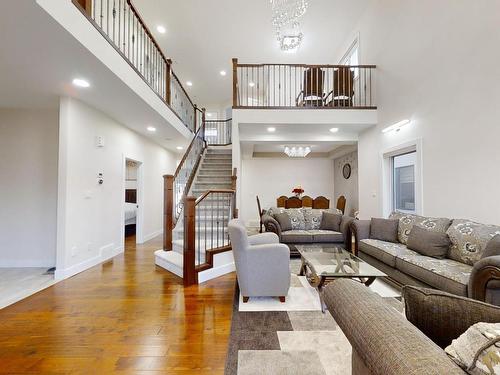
270, 178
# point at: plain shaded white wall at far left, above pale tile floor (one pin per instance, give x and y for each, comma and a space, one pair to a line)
28, 188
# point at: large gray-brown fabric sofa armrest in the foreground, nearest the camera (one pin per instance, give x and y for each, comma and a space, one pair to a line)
381, 336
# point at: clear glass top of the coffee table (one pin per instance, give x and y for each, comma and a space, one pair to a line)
334, 261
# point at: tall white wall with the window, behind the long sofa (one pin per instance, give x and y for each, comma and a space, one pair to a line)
437, 64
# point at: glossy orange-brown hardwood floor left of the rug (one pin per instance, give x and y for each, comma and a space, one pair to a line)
124, 316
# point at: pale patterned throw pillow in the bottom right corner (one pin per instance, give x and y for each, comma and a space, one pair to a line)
477, 349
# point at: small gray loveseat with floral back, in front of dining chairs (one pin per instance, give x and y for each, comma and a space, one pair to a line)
306, 226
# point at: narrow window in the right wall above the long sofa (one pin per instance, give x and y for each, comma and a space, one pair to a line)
403, 182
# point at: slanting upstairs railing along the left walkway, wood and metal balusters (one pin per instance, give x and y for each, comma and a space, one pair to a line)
120, 23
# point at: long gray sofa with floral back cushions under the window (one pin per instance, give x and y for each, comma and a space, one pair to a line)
463, 271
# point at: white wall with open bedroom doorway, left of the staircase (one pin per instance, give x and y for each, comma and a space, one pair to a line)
90, 216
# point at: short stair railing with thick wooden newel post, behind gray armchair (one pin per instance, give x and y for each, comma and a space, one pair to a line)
205, 228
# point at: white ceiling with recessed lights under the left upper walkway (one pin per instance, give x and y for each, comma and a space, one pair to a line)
39, 59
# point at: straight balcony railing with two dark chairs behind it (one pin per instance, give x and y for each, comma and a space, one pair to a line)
298, 86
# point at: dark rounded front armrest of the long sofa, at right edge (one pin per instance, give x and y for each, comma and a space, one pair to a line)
484, 280
